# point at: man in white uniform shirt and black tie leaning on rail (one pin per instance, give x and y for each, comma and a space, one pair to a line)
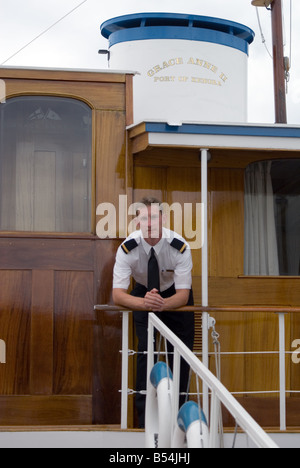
160, 262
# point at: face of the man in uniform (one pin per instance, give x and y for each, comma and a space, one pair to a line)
150, 221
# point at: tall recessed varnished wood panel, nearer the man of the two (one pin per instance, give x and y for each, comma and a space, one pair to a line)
73, 333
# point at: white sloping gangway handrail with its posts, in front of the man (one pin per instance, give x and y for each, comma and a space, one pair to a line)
219, 394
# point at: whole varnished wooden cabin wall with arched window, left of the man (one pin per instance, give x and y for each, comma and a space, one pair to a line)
62, 367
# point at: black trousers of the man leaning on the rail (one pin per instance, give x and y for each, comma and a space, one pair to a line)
180, 323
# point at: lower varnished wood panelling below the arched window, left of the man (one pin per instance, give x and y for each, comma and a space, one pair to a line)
57, 354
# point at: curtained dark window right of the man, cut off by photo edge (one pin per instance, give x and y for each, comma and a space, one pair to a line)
272, 218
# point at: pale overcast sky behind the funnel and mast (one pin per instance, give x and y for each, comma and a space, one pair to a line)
74, 42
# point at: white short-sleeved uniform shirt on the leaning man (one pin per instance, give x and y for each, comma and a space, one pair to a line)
175, 266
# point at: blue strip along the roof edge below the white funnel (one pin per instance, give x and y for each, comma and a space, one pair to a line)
232, 130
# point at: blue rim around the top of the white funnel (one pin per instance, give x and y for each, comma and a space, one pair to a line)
145, 26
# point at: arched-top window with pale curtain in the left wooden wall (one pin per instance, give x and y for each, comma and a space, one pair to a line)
45, 165
